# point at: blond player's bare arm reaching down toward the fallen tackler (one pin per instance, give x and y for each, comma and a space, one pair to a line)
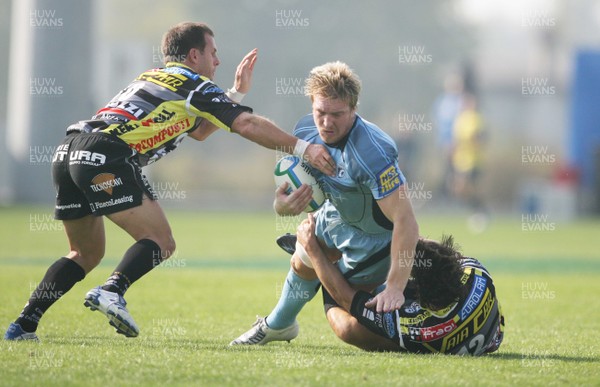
397, 208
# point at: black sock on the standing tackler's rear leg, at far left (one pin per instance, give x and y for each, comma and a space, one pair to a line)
59, 279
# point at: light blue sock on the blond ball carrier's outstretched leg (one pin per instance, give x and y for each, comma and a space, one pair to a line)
295, 294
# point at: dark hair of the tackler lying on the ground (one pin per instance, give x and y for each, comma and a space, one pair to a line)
437, 273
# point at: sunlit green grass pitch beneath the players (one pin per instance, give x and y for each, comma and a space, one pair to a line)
227, 270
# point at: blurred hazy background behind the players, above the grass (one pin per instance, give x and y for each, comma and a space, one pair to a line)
493, 104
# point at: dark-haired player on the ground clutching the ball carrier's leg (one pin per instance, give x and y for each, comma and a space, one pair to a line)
451, 304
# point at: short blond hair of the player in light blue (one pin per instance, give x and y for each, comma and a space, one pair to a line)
333, 80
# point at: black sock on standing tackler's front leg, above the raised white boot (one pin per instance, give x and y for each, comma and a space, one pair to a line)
142, 257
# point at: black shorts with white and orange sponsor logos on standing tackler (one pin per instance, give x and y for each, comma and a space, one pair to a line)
96, 173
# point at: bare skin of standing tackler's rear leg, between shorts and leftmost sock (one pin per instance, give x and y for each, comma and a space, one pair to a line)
86, 240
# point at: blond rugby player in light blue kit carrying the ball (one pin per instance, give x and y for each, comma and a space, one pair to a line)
367, 224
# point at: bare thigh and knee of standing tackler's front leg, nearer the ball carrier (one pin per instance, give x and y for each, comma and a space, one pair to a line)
146, 221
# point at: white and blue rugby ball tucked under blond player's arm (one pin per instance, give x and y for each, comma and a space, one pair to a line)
292, 170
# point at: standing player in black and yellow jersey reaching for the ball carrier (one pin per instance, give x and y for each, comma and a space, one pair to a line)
97, 170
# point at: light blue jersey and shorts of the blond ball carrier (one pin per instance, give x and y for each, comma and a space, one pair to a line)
351, 220
